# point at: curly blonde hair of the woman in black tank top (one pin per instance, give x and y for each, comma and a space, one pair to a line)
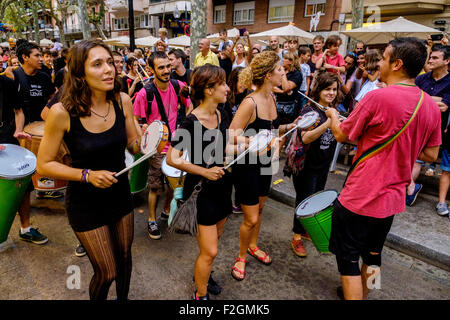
262, 64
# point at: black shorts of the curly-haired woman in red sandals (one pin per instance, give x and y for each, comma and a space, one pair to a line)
251, 184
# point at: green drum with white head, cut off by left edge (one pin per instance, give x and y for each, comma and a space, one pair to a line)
17, 165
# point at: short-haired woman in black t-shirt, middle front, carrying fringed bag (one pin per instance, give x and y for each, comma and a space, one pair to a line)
208, 89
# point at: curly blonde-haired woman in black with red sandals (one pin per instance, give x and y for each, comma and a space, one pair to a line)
256, 112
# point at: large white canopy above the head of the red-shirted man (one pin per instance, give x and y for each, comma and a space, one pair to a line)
387, 31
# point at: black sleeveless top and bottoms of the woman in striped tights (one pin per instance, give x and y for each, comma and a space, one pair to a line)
89, 207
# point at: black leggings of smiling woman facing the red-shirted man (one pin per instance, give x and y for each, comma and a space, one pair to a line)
306, 184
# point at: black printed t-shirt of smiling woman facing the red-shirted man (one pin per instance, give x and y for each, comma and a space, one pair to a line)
320, 153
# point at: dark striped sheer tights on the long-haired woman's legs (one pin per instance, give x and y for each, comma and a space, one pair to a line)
109, 250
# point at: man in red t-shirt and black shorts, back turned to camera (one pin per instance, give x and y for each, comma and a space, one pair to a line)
376, 190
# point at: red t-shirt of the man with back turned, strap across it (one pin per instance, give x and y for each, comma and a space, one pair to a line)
377, 187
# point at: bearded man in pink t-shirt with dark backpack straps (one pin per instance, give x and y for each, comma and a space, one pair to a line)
160, 100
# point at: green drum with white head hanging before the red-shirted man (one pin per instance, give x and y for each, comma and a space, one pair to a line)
314, 213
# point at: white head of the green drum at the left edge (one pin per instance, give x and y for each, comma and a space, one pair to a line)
16, 162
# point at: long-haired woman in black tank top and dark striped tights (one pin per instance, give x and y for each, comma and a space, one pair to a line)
96, 122
